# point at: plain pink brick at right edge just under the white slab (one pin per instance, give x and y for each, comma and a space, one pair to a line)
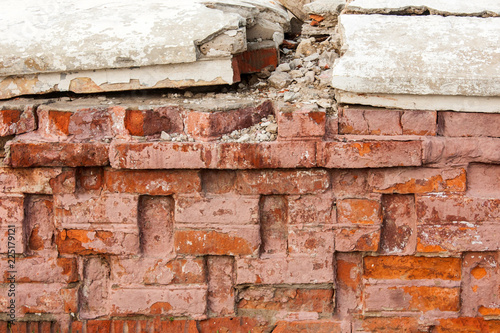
469, 124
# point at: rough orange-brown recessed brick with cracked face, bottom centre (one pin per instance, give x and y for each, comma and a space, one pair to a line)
288, 299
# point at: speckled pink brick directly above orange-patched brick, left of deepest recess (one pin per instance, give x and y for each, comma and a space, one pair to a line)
80, 209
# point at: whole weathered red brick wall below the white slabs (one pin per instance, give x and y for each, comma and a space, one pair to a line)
371, 220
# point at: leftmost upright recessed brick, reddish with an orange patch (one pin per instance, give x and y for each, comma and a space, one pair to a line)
39, 224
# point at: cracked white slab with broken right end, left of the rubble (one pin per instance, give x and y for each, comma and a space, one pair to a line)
102, 45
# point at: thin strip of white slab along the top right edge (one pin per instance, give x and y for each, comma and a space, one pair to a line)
436, 7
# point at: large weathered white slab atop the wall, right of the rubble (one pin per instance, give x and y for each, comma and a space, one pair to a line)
419, 55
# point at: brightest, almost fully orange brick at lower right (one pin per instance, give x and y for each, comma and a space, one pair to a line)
412, 268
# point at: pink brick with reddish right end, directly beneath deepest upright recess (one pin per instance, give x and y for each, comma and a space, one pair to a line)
153, 271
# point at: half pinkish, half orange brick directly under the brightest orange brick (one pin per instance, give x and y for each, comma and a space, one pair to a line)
411, 298
